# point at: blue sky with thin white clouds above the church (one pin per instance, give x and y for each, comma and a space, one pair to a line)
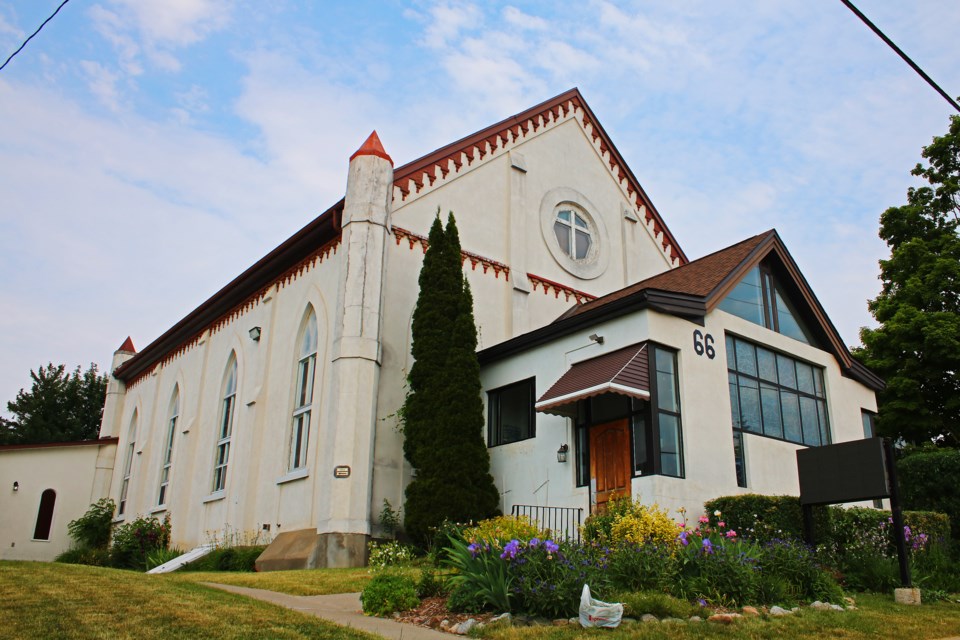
153, 149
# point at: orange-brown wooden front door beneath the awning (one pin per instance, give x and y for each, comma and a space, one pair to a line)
609, 462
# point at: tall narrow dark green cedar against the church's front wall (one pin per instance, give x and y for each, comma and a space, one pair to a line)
443, 412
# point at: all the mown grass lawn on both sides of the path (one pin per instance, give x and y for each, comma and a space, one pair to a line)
40, 600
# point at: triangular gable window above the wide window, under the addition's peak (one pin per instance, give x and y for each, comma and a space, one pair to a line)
760, 298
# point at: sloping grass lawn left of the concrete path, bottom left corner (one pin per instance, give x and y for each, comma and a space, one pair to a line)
46, 601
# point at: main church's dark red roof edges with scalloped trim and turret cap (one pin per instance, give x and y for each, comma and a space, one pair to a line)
324, 230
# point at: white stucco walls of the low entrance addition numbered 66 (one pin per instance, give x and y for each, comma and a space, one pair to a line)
521, 468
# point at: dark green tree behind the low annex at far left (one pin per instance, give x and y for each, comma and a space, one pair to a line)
59, 407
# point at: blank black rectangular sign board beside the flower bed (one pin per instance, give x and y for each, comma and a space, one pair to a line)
845, 472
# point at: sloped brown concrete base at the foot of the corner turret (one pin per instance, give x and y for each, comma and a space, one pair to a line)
307, 549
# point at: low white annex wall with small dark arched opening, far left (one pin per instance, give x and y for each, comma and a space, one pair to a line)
71, 471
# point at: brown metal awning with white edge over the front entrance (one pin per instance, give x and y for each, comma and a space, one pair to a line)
624, 371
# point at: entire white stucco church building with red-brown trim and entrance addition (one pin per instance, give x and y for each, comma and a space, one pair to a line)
611, 363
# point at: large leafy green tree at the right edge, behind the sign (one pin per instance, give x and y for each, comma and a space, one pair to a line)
916, 348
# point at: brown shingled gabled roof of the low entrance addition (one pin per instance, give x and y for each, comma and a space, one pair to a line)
695, 289
